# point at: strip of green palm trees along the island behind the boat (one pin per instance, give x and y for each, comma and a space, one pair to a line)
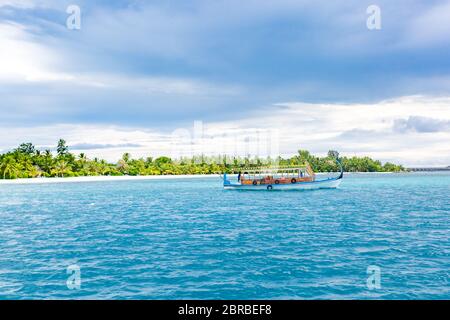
28, 162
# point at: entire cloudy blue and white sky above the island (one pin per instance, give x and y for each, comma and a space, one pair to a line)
174, 77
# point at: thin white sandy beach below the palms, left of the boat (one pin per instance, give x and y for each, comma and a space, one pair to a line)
105, 178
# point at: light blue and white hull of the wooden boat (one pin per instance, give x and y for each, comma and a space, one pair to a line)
331, 183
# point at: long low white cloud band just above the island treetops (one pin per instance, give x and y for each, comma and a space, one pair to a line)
364, 129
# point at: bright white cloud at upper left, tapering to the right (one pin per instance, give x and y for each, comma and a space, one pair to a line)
24, 60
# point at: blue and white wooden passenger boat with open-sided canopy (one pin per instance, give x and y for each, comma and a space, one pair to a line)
282, 178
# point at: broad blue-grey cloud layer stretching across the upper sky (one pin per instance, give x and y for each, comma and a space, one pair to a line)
284, 50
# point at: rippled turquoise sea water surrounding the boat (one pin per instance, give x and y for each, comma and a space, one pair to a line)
189, 239
